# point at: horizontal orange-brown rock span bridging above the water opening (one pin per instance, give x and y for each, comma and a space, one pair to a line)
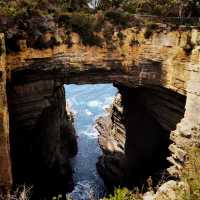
134, 59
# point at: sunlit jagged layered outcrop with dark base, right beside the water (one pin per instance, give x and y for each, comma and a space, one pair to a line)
111, 165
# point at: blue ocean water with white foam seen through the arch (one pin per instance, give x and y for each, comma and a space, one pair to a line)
88, 102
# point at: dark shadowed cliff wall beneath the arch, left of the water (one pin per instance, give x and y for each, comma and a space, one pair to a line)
42, 136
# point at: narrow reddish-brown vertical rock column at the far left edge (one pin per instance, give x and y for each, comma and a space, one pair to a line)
5, 162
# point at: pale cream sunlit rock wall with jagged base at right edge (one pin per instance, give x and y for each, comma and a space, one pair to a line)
187, 133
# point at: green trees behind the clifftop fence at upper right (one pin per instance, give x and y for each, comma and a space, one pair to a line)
177, 8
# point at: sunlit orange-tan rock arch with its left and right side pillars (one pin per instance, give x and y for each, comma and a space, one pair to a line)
159, 60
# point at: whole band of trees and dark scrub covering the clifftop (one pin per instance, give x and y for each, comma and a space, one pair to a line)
22, 19
